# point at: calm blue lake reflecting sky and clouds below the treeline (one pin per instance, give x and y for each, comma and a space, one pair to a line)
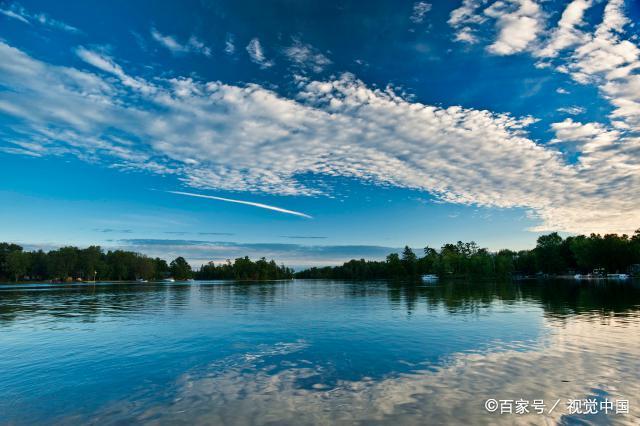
319, 352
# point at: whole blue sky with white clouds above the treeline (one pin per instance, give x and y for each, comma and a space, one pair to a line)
316, 131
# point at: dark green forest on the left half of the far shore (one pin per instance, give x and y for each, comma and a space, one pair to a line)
92, 263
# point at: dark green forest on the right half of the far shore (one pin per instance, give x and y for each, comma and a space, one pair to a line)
552, 255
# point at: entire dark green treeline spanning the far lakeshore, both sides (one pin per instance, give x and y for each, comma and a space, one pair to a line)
553, 255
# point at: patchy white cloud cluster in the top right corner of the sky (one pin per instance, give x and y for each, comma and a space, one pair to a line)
607, 56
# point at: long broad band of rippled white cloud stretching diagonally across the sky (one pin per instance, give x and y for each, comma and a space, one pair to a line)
247, 138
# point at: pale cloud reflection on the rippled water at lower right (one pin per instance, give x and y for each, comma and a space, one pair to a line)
583, 356
